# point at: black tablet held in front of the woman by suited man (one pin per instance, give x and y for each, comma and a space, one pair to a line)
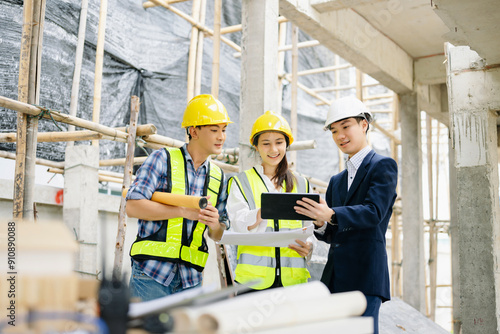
280, 205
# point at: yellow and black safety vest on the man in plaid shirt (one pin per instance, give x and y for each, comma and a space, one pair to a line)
170, 242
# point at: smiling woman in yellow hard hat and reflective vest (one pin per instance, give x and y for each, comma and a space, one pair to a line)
271, 266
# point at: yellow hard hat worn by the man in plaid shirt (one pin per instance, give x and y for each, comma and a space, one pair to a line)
204, 110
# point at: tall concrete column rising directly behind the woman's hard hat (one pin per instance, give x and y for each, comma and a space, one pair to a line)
259, 64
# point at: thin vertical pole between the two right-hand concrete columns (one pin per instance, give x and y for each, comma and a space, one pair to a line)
432, 224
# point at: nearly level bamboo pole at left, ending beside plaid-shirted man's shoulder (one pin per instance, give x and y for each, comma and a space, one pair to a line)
43, 137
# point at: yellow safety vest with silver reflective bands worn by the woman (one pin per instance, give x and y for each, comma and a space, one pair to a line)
266, 263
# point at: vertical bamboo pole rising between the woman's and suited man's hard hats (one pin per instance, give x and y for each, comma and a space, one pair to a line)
294, 103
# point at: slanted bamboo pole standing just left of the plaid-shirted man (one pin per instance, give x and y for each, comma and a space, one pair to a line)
127, 179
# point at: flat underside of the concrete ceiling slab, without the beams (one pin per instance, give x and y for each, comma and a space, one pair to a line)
421, 27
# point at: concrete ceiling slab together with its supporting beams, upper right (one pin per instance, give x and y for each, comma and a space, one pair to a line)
400, 43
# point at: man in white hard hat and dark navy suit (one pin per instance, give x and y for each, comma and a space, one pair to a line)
358, 206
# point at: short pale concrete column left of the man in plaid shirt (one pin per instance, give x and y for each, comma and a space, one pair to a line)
80, 210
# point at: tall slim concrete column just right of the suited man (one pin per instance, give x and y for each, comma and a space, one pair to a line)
411, 188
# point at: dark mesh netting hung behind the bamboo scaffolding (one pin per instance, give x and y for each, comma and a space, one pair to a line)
146, 54
